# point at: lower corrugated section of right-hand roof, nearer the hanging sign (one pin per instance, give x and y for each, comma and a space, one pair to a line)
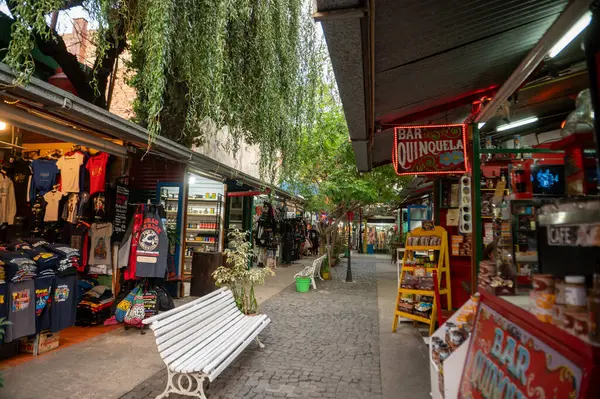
441, 78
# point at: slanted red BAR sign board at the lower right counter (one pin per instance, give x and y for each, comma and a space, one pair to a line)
511, 357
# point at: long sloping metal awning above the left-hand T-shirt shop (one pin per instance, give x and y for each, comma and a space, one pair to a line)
41, 106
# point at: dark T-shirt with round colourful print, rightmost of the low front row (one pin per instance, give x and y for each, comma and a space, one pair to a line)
64, 303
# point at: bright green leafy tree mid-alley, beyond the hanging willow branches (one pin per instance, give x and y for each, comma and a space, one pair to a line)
325, 170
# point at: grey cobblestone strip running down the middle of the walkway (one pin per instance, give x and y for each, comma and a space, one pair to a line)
323, 344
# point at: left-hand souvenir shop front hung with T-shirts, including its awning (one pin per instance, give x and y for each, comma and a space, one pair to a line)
90, 218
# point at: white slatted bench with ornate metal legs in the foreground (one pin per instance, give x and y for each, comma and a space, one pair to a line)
198, 340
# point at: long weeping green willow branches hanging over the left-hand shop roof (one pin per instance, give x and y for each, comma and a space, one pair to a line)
252, 66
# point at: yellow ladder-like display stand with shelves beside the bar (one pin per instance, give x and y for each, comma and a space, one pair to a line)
443, 267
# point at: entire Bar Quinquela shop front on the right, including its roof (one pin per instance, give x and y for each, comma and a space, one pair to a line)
514, 203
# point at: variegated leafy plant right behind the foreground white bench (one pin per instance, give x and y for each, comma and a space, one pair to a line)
237, 276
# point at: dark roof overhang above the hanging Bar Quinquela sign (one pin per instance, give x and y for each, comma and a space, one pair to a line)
426, 61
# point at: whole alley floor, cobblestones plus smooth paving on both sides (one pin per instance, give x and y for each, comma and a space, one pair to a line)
335, 342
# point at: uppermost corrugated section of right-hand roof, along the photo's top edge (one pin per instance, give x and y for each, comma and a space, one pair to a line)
409, 30
